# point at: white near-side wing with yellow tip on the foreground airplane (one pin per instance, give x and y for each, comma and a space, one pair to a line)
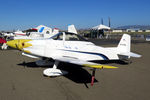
83, 63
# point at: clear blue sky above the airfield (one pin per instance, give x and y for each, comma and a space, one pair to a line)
24, 14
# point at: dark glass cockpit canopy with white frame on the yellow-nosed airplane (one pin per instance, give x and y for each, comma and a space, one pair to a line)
68, 36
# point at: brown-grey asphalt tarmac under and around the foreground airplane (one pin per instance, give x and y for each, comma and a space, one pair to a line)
21, 79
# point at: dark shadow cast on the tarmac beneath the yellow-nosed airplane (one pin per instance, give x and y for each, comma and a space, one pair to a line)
76, 73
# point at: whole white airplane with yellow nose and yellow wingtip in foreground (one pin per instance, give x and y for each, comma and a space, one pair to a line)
72, 48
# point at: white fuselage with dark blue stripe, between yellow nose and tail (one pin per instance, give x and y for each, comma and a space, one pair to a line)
82, 50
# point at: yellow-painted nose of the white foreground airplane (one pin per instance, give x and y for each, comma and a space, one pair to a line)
19, 43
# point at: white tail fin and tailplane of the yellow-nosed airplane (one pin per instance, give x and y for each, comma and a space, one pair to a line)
124, 47
